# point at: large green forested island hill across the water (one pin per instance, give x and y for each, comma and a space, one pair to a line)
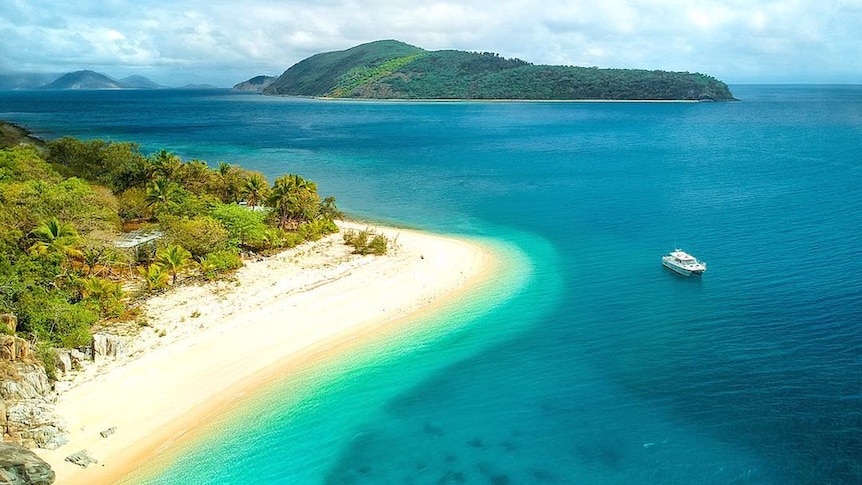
389, 69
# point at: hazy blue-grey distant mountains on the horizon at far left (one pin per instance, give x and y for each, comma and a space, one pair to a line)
85, 79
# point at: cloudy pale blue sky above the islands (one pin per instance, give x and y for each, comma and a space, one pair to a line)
175, 42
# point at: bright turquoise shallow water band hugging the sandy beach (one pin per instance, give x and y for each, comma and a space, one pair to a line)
311, 415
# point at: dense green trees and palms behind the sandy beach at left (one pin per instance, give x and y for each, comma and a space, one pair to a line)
64, 207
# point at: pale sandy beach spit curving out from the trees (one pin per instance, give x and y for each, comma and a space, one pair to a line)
206, 345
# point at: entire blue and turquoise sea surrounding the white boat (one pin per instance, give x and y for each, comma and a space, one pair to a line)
588, 363
